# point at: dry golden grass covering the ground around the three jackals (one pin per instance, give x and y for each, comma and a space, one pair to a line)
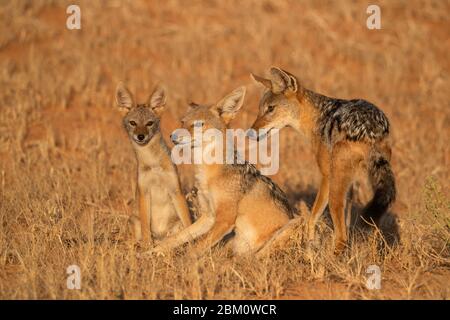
67, 170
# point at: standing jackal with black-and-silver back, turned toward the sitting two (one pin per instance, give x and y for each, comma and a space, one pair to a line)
346, 136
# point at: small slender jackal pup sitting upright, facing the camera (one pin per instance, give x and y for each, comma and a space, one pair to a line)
162, 207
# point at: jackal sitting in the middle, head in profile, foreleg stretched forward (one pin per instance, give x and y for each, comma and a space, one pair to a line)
232, 197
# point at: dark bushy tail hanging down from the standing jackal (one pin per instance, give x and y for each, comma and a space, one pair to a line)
383, 184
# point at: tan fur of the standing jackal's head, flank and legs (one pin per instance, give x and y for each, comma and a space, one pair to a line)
338, 163
